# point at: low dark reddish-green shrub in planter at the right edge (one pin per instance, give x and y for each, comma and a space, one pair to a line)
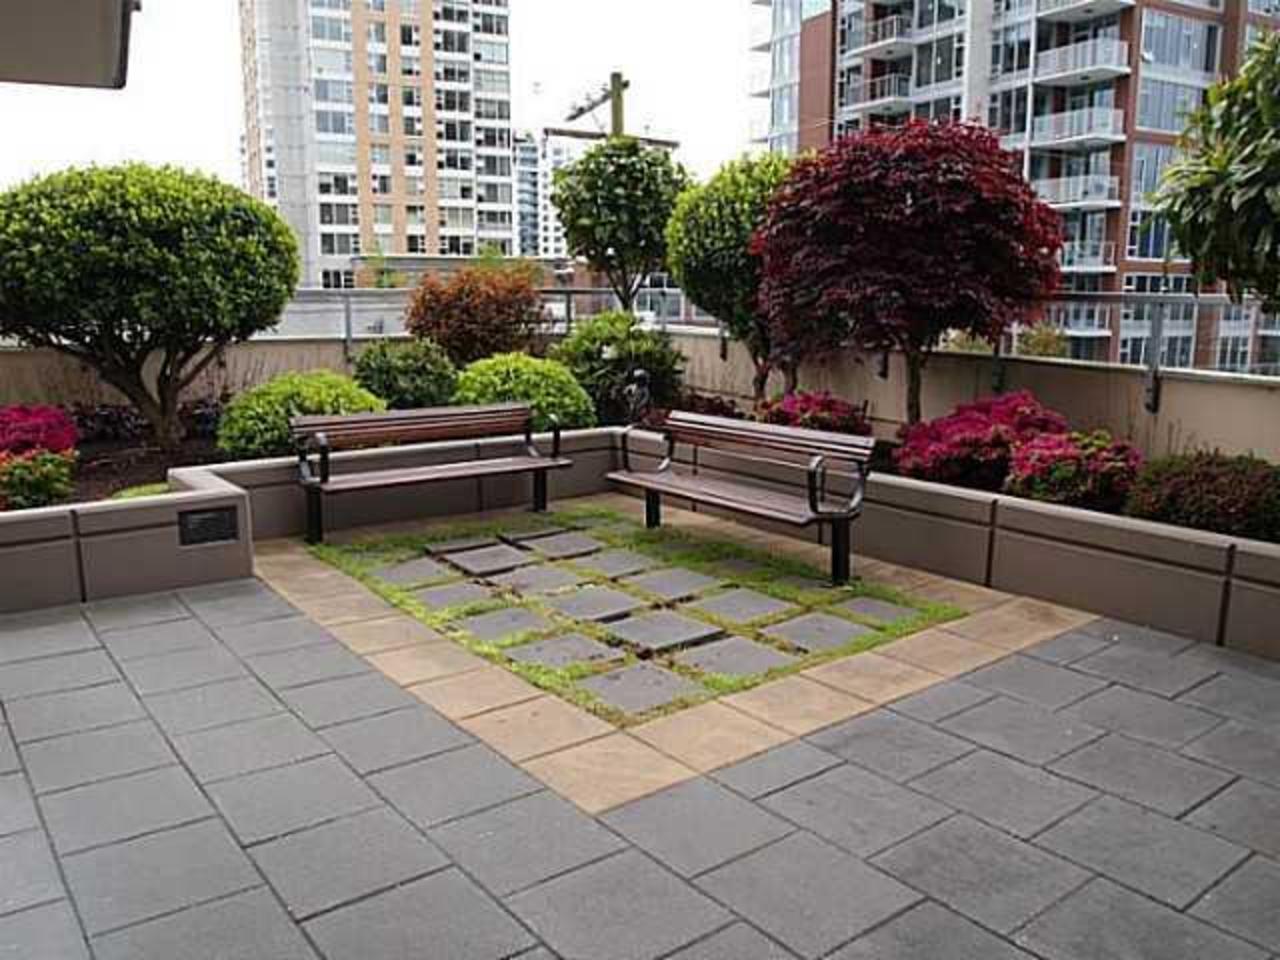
1235, 496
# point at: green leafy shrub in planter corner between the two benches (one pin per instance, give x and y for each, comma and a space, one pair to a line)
607, 350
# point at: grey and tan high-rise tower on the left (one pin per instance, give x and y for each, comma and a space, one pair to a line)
381, 126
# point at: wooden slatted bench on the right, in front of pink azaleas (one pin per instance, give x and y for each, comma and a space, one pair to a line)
765, 445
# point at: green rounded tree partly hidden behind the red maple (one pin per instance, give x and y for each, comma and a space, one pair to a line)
710, 252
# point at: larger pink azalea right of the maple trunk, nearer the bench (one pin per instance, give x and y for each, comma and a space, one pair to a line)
973, 446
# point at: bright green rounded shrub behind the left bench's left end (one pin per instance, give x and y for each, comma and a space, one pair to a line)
257, 424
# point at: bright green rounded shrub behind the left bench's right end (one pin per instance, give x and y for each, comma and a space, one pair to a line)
546, 386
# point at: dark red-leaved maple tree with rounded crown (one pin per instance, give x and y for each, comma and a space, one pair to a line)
894, 236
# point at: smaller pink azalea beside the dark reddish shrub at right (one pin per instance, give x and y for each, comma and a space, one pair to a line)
1076, 470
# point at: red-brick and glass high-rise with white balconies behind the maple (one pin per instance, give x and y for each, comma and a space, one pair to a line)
1092, 95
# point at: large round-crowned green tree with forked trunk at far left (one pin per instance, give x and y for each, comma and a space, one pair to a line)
144, 275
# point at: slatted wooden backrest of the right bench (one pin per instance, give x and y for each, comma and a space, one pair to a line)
744, 438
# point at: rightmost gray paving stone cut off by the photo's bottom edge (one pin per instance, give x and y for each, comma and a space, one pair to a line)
1104, 921
